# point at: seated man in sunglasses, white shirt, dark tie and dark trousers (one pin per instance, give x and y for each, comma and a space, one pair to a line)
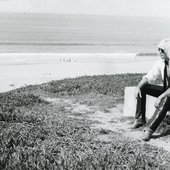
161, 69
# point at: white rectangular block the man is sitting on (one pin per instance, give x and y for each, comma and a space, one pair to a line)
130, 103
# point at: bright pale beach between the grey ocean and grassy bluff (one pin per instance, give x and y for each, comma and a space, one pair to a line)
20, 69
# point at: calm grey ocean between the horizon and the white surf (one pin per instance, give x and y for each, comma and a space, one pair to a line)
49, 33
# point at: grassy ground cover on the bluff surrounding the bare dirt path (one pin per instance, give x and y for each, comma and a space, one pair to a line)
36, 134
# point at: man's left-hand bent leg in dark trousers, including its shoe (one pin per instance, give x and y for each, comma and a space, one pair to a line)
149, 89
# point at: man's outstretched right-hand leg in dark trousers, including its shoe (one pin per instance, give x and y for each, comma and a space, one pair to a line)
157, 118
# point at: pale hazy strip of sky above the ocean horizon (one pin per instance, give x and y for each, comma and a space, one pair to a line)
157, 8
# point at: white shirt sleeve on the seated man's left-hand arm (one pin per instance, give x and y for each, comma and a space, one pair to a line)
154, 73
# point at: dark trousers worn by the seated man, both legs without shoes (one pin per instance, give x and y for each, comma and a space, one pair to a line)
160, 112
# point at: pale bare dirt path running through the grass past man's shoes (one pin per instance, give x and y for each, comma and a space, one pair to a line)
112, 120
